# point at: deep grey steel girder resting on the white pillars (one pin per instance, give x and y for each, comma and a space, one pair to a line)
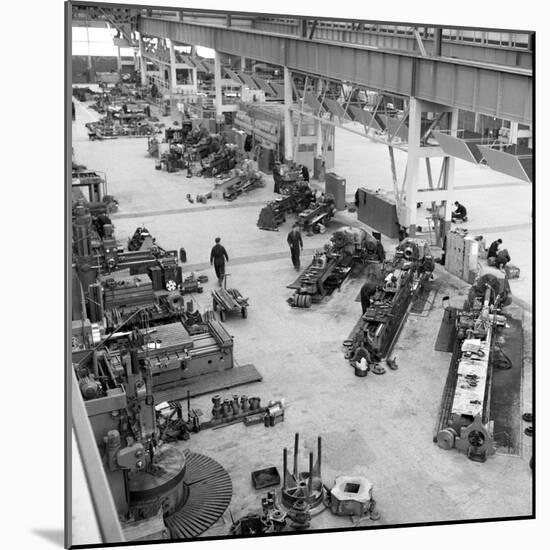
502, 92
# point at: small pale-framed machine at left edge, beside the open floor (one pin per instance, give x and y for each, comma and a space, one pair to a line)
91, 187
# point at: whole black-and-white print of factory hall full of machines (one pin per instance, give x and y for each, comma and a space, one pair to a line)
300, 274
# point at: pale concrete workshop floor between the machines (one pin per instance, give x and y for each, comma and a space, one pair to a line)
379, 426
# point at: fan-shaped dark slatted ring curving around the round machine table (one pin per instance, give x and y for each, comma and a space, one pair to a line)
209, 490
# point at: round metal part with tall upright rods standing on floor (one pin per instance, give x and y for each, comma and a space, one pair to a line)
303, 487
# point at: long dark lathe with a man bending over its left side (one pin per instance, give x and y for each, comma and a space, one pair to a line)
399, 282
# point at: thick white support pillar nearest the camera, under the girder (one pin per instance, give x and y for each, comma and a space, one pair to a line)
408, 217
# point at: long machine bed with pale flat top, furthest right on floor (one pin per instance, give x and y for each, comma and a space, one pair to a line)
464, 419
